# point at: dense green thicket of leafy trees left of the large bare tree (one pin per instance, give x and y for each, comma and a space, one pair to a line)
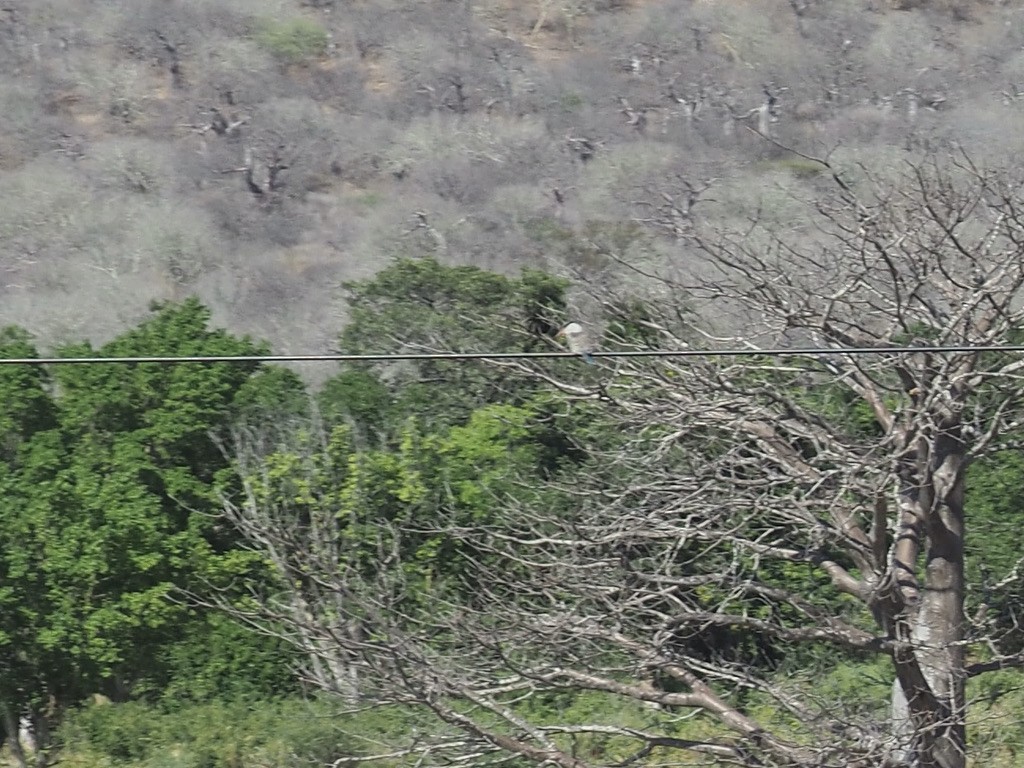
114, 476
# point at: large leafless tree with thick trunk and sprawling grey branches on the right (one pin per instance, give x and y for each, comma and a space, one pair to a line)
669, 576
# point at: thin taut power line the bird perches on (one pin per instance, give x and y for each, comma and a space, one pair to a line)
333, 358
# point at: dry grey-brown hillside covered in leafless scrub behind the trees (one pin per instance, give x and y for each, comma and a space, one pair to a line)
260, 153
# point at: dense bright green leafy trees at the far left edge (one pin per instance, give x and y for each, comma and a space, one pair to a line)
108, 504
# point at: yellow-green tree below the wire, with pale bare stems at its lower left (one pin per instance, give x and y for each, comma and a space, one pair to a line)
326, 505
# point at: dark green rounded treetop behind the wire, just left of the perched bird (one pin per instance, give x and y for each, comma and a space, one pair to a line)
423, 307
